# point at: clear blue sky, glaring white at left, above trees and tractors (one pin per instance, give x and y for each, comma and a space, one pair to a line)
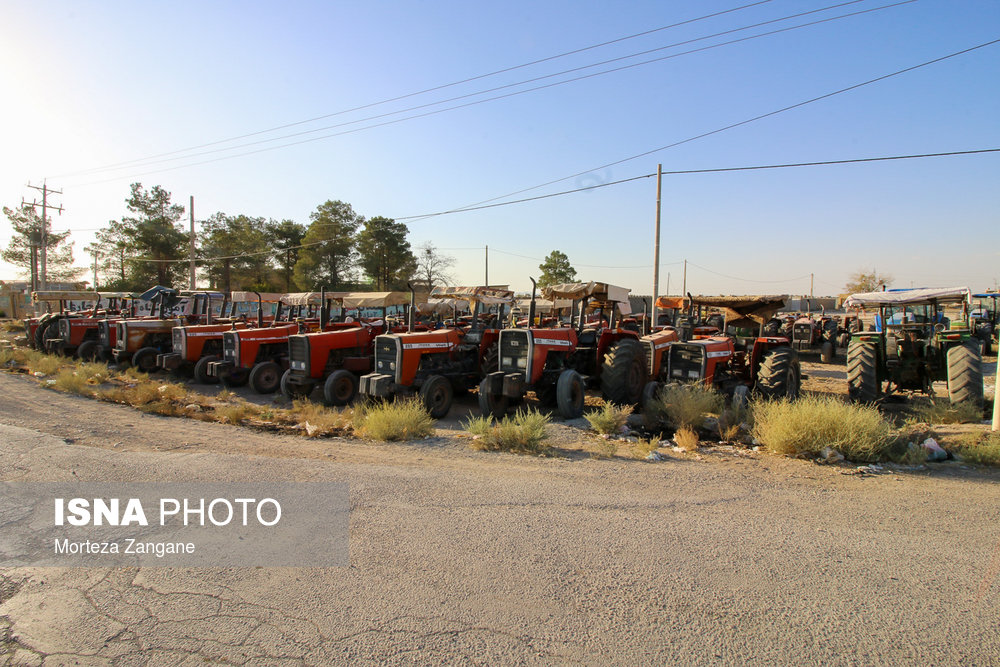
88, 85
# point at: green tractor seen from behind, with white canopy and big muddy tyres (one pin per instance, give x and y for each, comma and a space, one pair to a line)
913, 345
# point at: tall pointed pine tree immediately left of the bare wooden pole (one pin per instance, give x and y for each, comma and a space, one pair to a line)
153, 238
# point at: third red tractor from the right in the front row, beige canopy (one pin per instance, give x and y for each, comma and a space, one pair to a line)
438, 363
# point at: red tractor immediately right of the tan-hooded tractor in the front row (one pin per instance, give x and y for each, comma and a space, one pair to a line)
195, 346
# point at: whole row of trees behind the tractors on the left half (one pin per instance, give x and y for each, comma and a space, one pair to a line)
339, 249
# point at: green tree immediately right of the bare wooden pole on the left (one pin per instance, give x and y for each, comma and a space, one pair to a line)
232, 246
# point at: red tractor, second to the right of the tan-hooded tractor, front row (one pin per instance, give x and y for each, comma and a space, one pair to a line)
259, 356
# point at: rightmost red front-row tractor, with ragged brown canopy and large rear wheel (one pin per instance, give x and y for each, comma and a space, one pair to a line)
739, 362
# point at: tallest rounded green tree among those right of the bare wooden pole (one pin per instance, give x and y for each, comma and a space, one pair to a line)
329, 255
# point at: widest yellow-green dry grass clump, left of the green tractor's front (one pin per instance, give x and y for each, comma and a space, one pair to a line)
806, 426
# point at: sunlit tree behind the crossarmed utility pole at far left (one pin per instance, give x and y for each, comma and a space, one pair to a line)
27, 224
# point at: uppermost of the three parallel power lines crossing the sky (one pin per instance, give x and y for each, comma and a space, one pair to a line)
428, 90
